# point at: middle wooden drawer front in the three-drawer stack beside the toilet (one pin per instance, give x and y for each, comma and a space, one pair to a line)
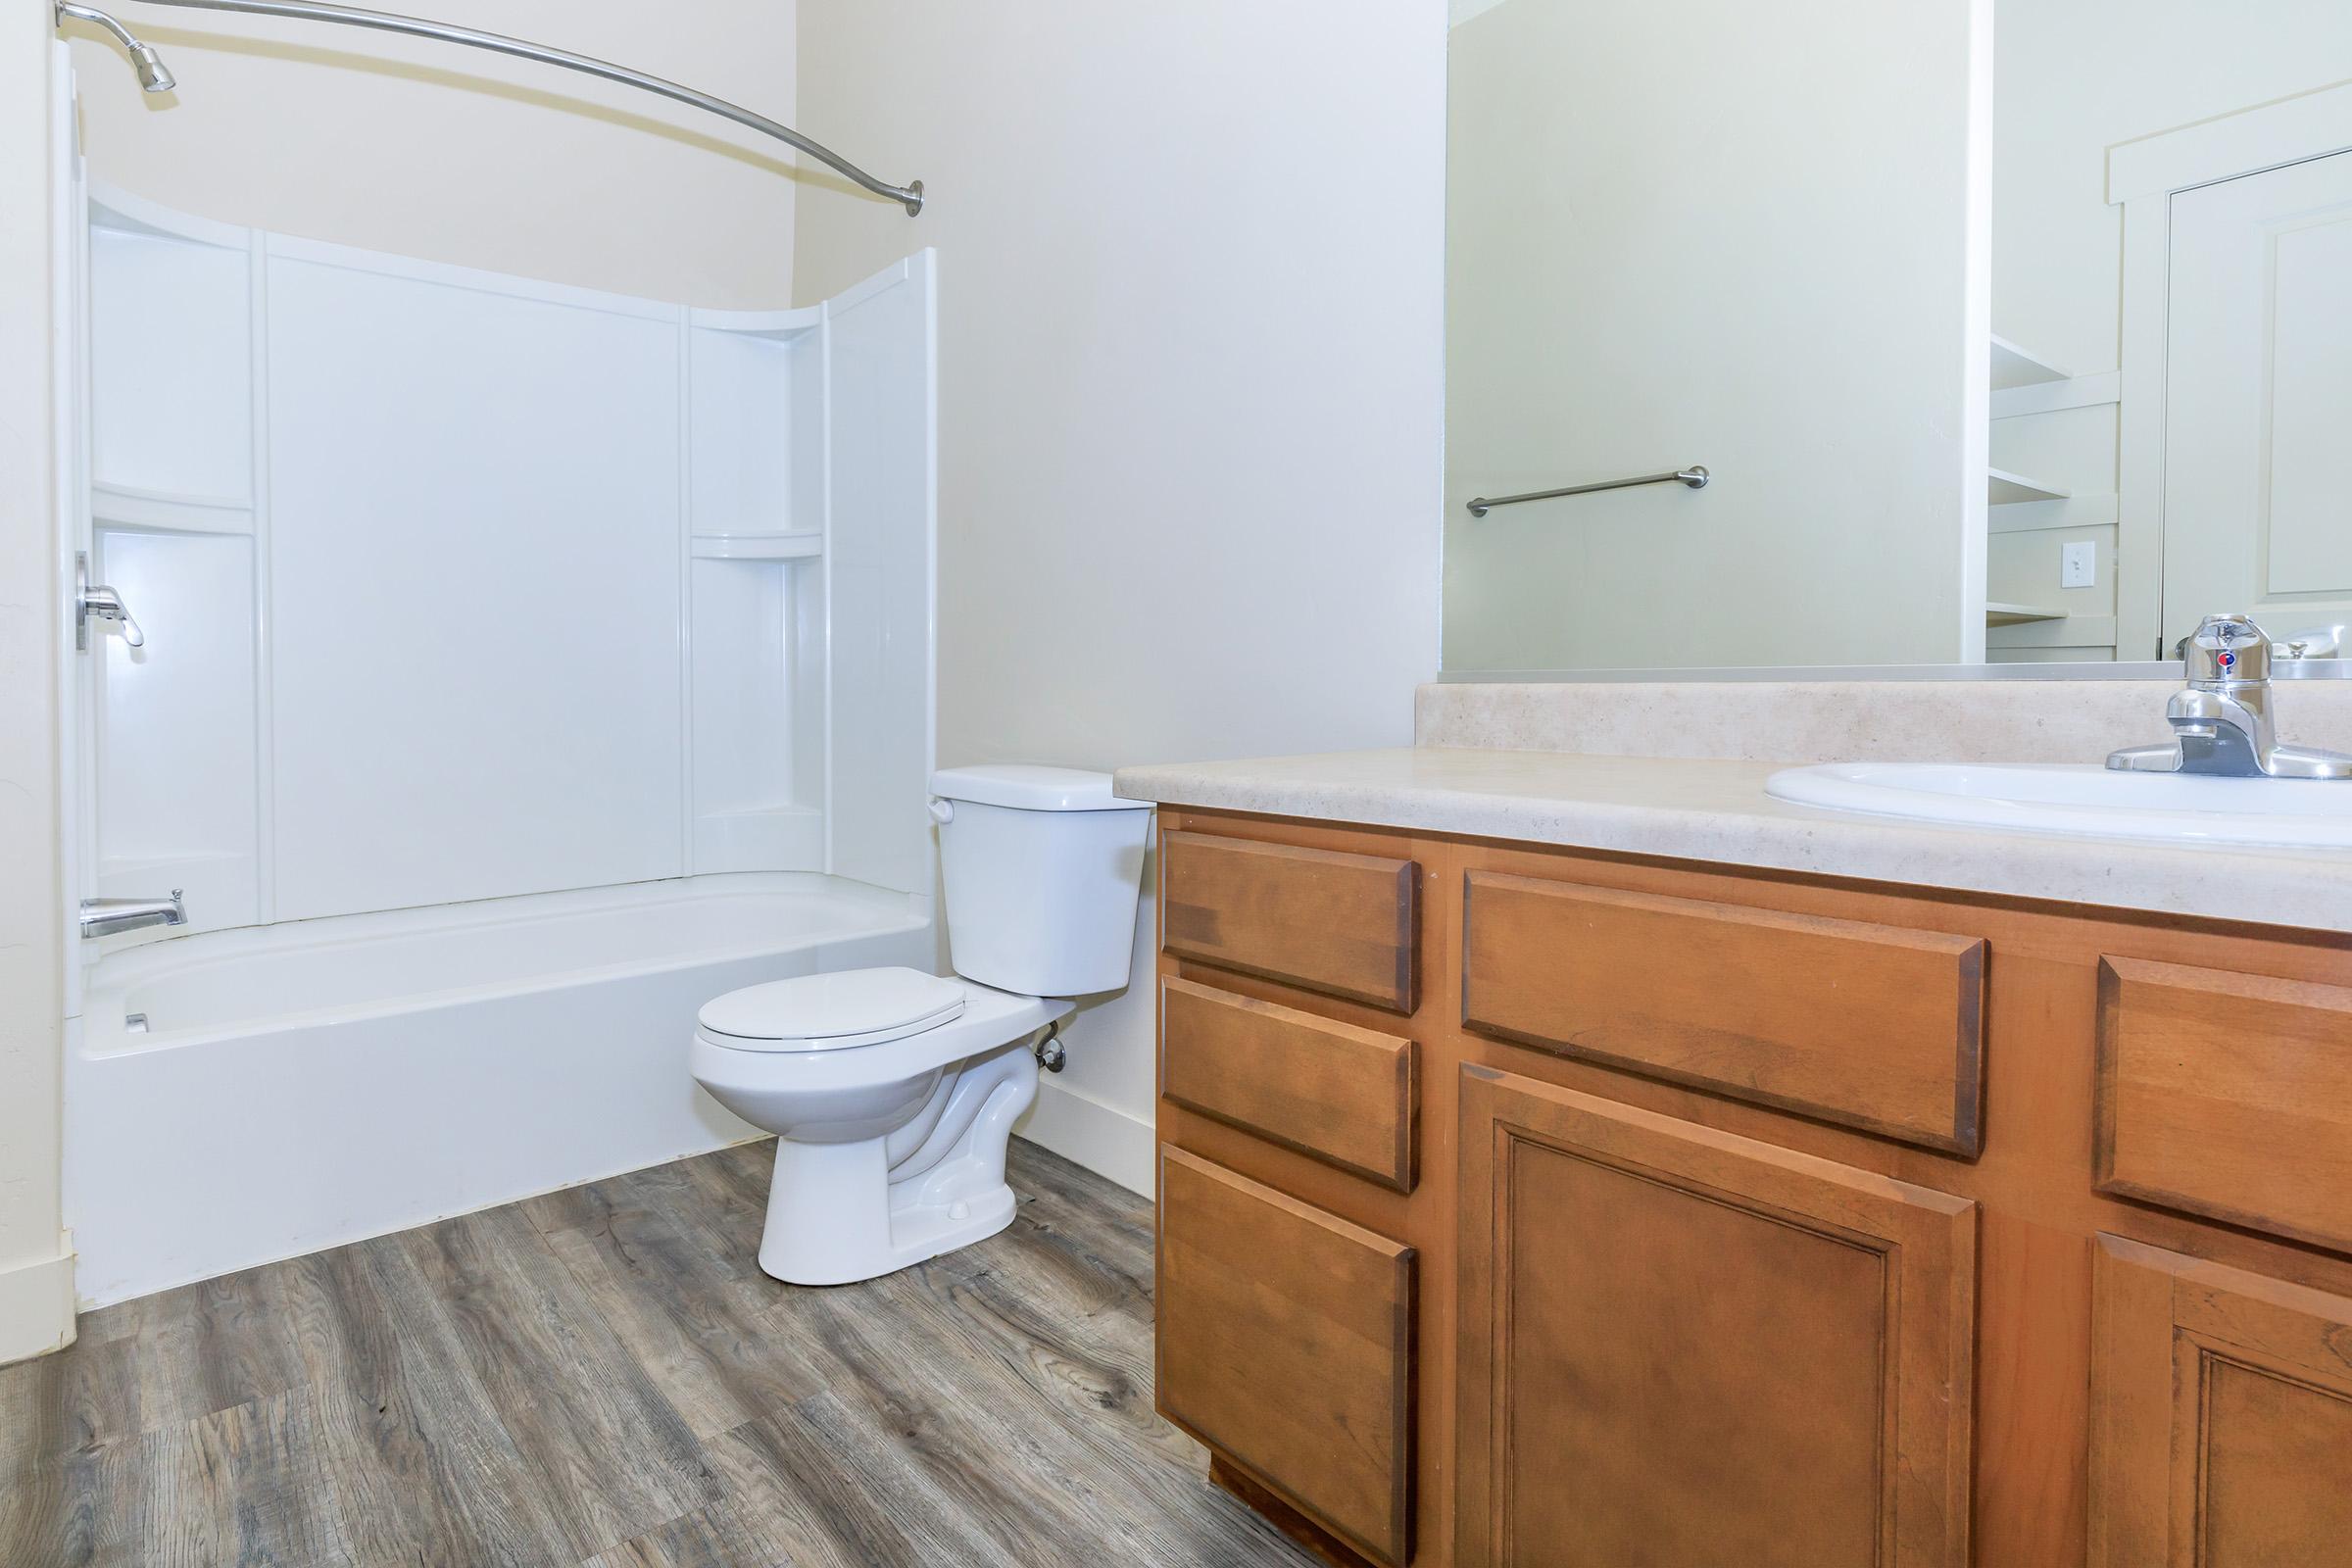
1328, 1090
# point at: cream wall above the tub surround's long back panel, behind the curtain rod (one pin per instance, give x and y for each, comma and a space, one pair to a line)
427, 149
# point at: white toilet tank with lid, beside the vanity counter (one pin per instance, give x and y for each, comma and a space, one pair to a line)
1043, 869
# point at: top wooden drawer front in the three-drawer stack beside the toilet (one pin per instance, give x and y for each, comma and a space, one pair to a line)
1332, 923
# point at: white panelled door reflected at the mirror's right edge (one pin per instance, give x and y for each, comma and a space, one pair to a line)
2259, 401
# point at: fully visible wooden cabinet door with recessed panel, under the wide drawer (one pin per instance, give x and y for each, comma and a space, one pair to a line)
1692, 1348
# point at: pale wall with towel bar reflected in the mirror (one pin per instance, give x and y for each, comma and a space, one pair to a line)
1723, 234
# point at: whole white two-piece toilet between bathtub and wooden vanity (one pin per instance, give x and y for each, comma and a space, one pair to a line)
893, 1094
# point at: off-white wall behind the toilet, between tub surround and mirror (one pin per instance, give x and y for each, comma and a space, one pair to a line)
1191, 264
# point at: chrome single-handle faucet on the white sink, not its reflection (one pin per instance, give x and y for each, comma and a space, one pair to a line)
2221, 723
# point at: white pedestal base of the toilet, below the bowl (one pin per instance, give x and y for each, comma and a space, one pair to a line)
841, 1212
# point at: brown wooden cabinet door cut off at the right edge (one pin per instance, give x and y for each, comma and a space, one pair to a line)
2221, 1416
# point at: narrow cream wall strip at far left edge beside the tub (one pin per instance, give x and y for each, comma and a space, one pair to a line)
36, 1278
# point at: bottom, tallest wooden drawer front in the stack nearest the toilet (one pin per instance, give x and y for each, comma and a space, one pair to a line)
1288, 1343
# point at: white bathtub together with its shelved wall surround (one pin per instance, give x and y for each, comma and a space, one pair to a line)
455, 899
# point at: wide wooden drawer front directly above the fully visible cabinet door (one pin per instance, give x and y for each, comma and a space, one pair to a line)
1871, 1026
